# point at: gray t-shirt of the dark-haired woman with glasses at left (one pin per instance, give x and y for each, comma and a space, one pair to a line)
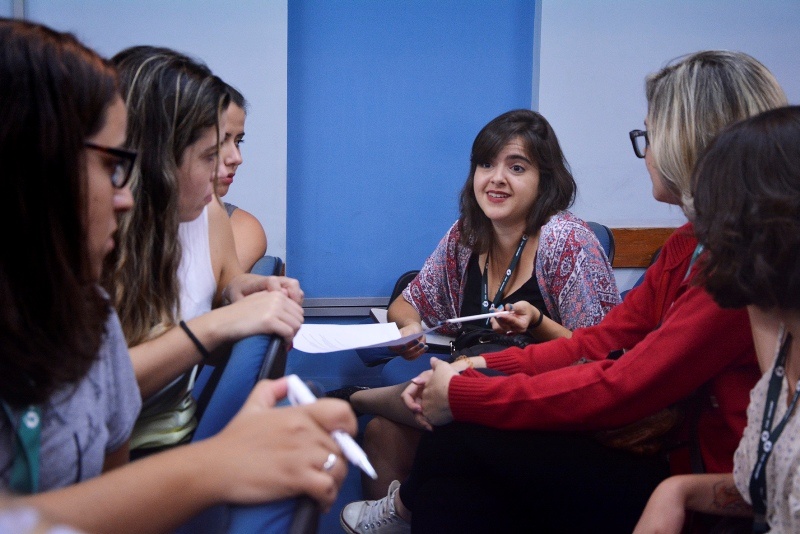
82, 423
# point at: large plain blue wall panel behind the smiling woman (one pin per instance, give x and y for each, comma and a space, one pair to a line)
384, 100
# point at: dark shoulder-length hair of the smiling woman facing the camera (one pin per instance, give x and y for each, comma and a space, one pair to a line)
557, 187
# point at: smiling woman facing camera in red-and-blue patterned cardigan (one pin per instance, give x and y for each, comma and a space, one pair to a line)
515, 245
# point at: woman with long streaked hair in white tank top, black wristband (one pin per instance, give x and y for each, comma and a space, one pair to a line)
176, 263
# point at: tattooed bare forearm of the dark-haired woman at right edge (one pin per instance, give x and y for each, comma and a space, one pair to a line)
710, 493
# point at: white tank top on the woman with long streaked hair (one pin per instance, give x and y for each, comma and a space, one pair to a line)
198, 285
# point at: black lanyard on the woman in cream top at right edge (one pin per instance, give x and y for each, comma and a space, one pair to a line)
768, 437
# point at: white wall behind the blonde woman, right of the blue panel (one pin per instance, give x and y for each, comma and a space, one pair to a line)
594, 58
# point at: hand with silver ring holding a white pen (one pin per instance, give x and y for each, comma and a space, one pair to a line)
265, 453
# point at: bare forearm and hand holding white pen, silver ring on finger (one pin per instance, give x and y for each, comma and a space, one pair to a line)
264, 454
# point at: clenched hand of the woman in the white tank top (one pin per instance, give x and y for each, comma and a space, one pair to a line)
263, 312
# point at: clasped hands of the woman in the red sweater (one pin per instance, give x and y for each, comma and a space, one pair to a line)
427, 395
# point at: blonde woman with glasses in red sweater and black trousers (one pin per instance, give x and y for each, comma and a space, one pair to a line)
517, 449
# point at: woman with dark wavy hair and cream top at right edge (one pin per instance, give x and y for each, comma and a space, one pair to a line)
747, 203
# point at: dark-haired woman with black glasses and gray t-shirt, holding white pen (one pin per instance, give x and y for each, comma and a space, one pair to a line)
68, 390
